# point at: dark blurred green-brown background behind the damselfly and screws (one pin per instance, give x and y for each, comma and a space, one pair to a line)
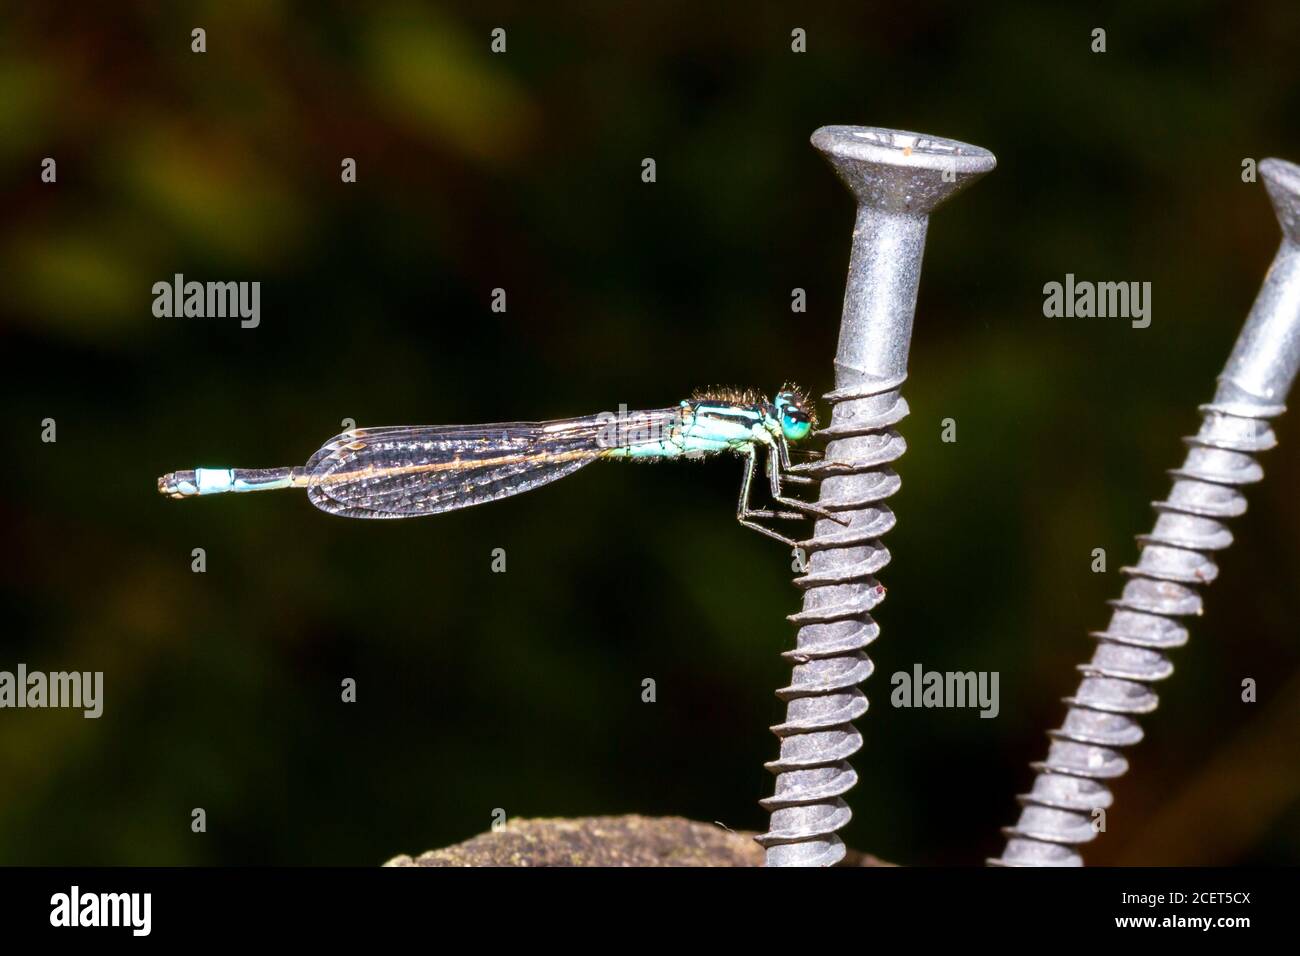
522, 171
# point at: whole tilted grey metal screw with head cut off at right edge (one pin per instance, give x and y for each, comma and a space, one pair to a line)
1176, 557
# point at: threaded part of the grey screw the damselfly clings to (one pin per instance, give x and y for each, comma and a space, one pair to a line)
835, 626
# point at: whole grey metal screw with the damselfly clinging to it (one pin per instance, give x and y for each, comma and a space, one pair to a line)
899, 180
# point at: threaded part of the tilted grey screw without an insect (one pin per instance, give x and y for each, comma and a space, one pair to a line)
1130, 659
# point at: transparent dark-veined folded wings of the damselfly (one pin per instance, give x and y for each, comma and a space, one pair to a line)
409, 471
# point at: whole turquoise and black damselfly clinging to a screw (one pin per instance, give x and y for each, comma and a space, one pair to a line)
410, 471
